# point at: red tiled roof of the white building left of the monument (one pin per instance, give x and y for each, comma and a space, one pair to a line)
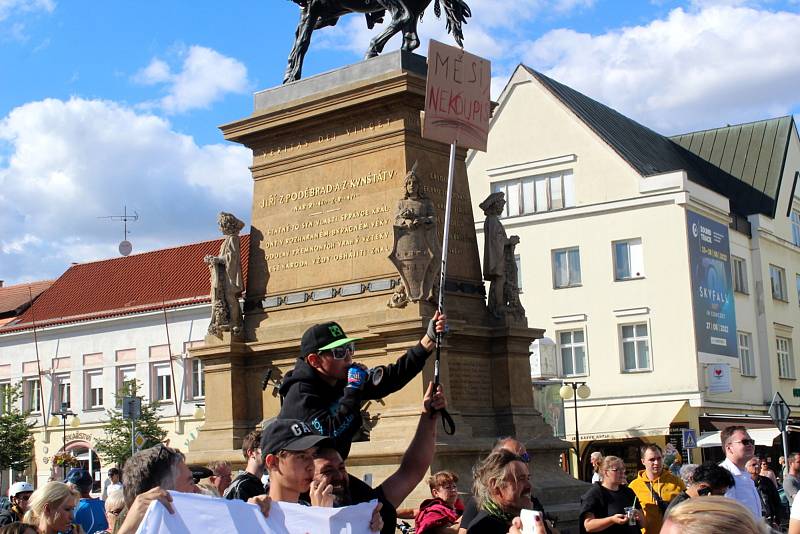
149, 281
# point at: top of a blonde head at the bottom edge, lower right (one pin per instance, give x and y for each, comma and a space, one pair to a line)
711, 515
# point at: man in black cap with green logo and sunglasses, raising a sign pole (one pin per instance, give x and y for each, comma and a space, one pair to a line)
325, 389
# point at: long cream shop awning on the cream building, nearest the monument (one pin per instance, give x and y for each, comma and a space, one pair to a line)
621, 421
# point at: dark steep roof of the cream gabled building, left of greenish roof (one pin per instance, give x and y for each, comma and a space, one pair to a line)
651, 153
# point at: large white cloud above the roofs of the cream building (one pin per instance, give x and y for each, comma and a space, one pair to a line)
693, 69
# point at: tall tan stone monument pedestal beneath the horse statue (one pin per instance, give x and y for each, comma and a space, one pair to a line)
329, 156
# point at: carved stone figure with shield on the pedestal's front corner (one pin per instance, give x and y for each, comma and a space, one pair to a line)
416, 252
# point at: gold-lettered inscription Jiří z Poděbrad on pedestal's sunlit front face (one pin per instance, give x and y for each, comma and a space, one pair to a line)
324, 231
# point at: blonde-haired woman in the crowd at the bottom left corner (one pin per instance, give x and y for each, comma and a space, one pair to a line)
51, 507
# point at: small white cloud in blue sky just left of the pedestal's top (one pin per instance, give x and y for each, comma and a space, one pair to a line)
206, 76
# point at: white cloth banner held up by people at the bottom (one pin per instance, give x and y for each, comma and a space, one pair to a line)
211, 515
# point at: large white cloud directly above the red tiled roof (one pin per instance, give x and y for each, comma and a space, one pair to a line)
69, 162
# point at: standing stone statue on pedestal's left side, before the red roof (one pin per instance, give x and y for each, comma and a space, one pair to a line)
227, 282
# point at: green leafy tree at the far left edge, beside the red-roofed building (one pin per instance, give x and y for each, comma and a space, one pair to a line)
16, 438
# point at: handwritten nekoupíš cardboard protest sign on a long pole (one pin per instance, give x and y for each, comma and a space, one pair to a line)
457, 109
